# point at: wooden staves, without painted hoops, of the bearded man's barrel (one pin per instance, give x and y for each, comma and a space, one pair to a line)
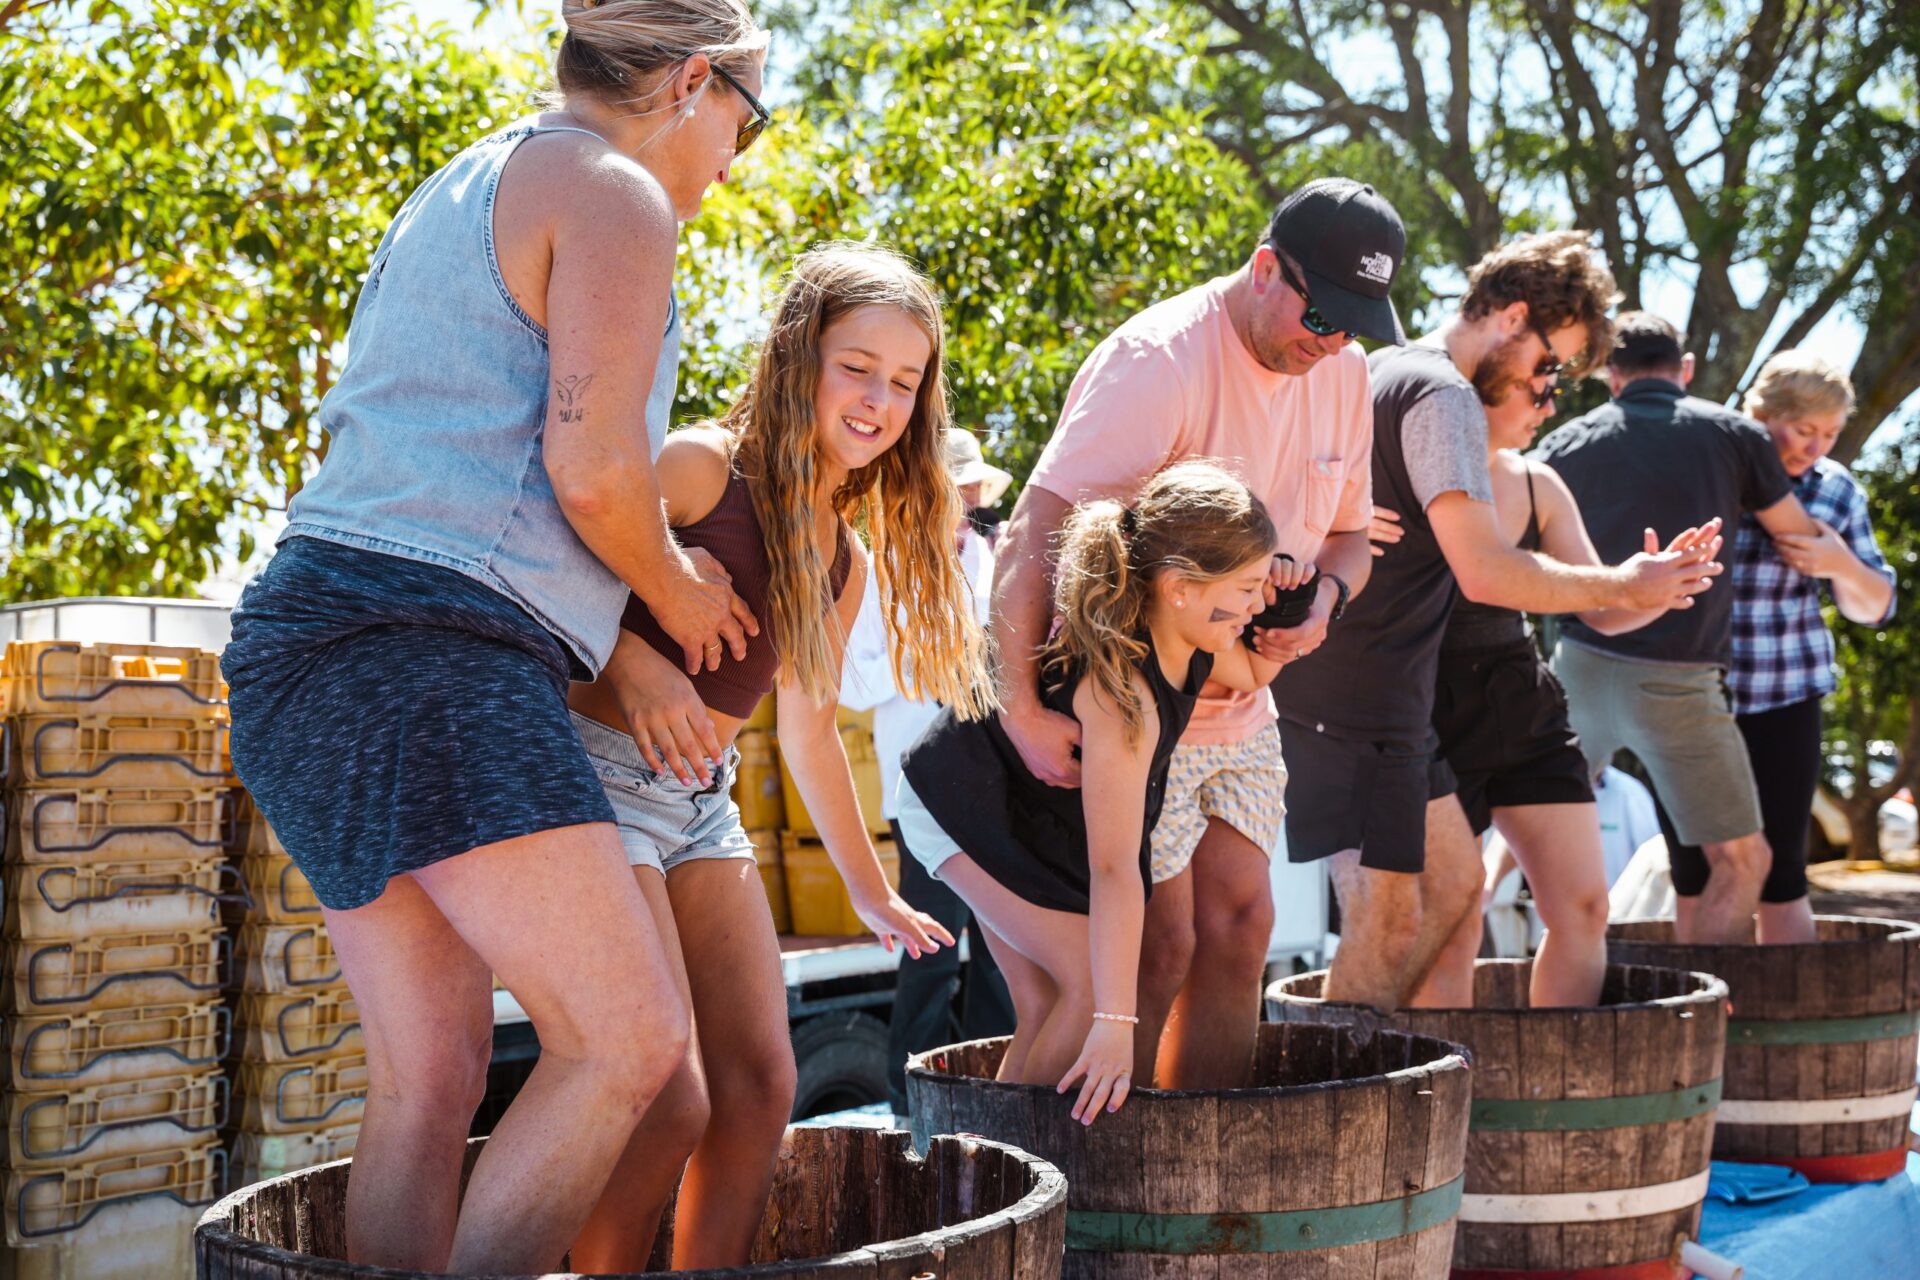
1620, 1049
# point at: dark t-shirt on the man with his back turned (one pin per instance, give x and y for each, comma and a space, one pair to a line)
1656, 458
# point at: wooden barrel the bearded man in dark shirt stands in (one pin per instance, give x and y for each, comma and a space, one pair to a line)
1591, 1127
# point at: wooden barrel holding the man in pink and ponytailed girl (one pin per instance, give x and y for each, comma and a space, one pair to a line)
1343, 1162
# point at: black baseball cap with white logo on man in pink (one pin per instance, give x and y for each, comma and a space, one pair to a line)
1349, 245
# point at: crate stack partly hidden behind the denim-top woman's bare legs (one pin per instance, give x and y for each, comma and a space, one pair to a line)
300, 1060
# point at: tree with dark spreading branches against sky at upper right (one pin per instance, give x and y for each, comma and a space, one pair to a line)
1765, 151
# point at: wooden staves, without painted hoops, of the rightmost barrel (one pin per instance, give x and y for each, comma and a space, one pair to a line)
1860, 968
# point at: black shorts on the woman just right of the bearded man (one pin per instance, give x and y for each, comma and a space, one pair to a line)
1502, 726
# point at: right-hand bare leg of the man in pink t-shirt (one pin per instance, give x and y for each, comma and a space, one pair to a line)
1211, 1039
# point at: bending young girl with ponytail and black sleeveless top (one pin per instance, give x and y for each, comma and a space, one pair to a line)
1153, 602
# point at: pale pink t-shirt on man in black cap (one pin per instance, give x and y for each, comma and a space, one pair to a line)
1176, 383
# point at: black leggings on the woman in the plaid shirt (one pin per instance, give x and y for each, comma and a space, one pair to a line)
1785, 747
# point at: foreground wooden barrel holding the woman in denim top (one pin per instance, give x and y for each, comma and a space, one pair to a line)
850, 1204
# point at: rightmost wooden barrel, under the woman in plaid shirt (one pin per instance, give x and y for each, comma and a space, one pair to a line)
1819, 1049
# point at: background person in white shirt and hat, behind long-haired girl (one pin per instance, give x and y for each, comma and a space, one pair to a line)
923, 999
